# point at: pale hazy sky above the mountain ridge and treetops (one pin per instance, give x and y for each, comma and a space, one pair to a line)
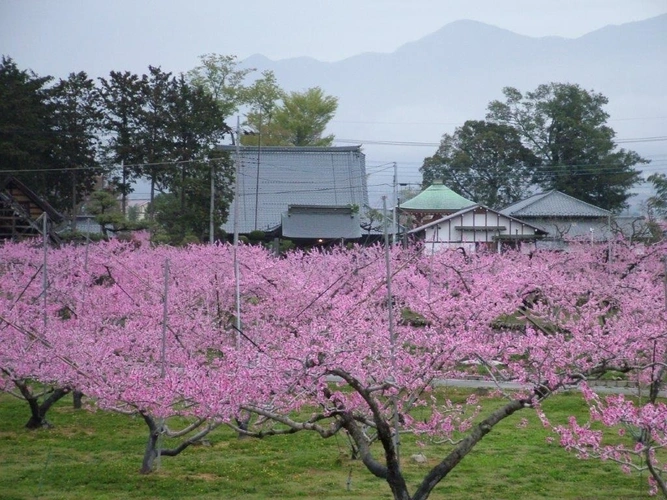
60, 36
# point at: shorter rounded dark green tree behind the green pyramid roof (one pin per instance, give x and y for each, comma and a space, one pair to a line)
485, 162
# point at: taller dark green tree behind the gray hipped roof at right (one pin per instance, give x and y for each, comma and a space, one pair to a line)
566, 128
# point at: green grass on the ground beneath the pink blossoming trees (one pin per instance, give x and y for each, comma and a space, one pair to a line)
97, 456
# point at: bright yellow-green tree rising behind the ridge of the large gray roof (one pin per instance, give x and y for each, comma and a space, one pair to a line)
302, 119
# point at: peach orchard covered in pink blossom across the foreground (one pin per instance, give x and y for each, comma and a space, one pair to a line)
342, 341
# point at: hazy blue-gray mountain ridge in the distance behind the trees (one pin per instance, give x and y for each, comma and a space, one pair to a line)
427, 87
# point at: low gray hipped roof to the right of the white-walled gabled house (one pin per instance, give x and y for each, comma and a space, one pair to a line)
553, 204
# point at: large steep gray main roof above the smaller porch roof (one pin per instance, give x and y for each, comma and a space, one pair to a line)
334, 176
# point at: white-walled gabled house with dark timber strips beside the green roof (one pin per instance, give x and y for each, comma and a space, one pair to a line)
478, 228
